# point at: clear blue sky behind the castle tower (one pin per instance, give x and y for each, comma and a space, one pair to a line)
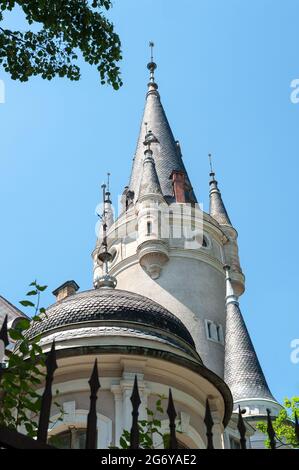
224, 74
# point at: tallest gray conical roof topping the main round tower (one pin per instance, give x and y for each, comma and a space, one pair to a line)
167, 154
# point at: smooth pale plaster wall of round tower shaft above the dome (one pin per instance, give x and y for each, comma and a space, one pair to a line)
191, 289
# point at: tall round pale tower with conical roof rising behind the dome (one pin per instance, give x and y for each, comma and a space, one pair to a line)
164, 245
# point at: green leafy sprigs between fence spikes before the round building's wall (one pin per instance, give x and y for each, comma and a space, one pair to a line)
148, 428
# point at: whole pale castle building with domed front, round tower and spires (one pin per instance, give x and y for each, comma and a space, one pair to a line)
162, 307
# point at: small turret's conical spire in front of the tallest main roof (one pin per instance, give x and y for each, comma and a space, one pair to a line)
149, 184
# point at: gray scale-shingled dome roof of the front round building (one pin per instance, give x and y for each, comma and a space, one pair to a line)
110, 305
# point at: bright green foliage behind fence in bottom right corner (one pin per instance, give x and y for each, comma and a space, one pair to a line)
283, 424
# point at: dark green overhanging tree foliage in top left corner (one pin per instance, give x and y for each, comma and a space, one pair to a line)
60, 29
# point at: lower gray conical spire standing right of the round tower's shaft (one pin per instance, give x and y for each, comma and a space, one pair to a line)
242, 370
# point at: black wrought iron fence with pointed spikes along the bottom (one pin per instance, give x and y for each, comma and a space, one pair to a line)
13, 439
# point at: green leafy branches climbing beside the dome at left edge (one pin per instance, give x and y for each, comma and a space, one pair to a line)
20, 401
